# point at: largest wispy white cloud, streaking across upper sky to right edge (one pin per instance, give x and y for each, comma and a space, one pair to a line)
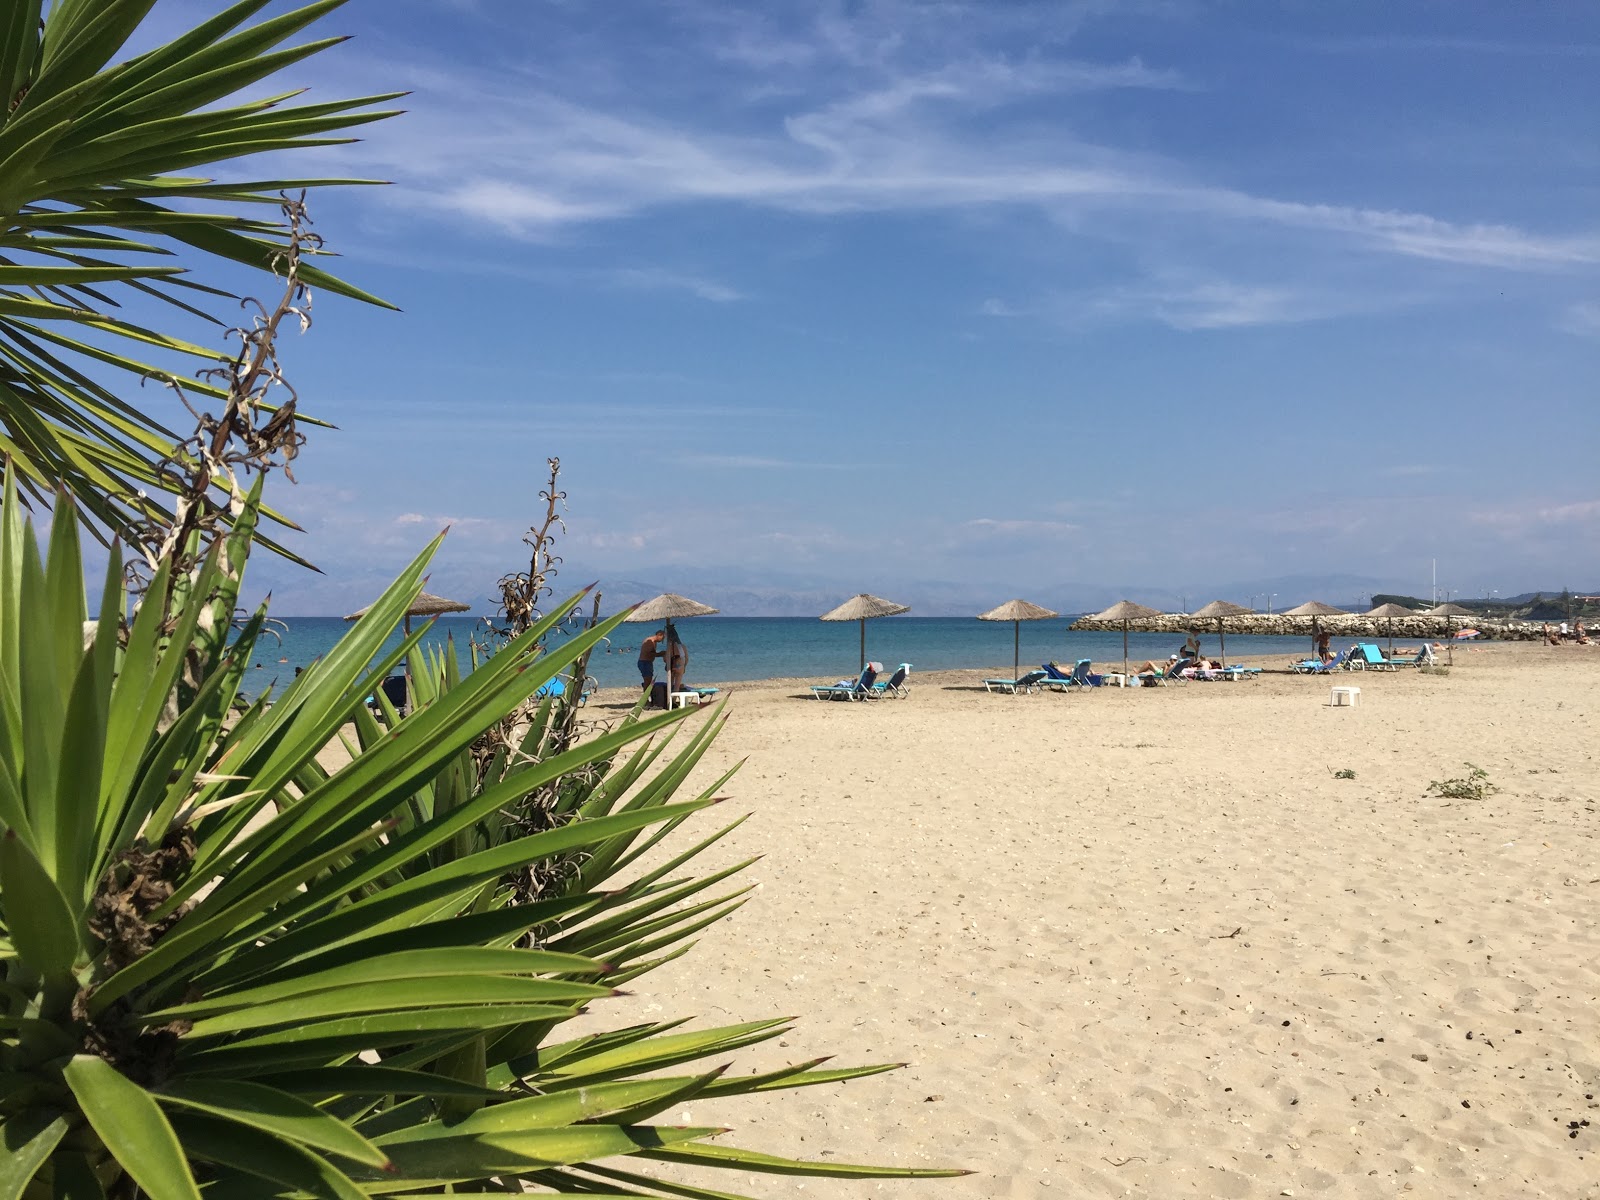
881, 129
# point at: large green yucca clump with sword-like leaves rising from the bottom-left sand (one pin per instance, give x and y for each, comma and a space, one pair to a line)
228, 969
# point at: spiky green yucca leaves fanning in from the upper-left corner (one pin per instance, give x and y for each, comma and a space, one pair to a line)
98, 191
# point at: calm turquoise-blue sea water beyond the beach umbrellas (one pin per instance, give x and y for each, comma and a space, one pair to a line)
729, 649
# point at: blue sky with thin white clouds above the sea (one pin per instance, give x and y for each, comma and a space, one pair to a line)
914, 298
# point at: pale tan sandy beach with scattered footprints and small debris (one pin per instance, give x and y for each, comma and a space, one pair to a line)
1145, 943
